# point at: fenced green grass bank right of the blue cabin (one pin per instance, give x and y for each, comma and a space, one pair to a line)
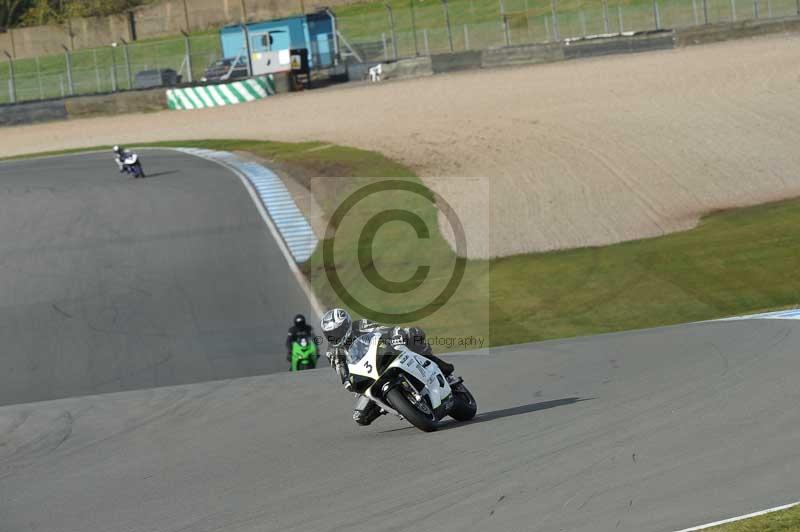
405, 28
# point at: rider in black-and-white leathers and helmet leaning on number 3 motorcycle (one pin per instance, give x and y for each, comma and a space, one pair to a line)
340, 331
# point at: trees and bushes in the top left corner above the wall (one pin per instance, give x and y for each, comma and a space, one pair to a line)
14, 13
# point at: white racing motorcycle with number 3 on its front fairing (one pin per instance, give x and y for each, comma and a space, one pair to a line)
406, 383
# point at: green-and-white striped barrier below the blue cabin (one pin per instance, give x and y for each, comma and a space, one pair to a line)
231, 93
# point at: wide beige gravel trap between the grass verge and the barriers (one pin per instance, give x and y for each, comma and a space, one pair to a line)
578, 153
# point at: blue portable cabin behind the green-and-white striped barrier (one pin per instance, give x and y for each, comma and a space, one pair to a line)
316, 32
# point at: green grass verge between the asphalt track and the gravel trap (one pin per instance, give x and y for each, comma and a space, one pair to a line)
734, 262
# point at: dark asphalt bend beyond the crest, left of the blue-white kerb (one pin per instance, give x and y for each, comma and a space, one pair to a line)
109, 283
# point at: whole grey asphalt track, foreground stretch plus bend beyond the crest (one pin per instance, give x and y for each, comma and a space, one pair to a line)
655, 430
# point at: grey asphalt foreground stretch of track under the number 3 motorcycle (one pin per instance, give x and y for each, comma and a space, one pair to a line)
654, 430
